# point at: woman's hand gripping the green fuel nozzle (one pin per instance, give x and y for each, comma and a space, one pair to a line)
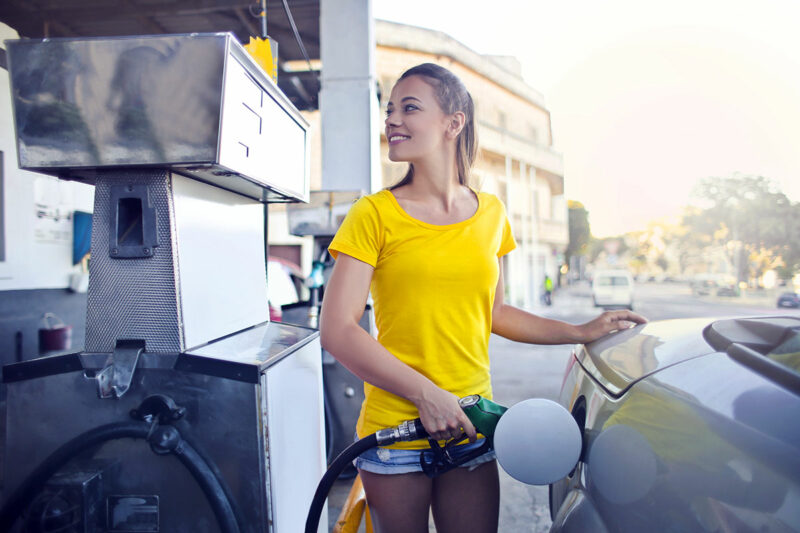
442, 416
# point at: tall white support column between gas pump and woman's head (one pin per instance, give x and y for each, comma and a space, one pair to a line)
348, 101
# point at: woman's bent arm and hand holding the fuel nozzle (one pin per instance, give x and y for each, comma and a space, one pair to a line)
342, 307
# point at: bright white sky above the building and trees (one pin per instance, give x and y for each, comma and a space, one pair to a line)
646, 97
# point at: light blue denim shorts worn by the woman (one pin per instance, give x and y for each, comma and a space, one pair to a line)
391, 461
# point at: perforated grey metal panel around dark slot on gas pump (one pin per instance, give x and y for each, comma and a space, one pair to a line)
134, 298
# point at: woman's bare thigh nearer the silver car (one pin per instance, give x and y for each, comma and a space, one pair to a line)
467, 501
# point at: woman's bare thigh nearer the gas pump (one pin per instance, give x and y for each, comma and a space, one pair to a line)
398, 503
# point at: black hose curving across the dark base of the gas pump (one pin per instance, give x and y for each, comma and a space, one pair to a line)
210, 484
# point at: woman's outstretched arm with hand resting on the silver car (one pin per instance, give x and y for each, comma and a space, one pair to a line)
521, 326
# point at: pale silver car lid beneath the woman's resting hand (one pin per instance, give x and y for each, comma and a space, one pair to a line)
619, 360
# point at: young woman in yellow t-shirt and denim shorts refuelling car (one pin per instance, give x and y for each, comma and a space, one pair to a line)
430, 249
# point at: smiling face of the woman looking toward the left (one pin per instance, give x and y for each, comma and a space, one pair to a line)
415, 124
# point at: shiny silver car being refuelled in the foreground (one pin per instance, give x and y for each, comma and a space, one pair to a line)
689, 425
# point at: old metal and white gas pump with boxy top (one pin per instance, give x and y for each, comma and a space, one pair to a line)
187, 410
